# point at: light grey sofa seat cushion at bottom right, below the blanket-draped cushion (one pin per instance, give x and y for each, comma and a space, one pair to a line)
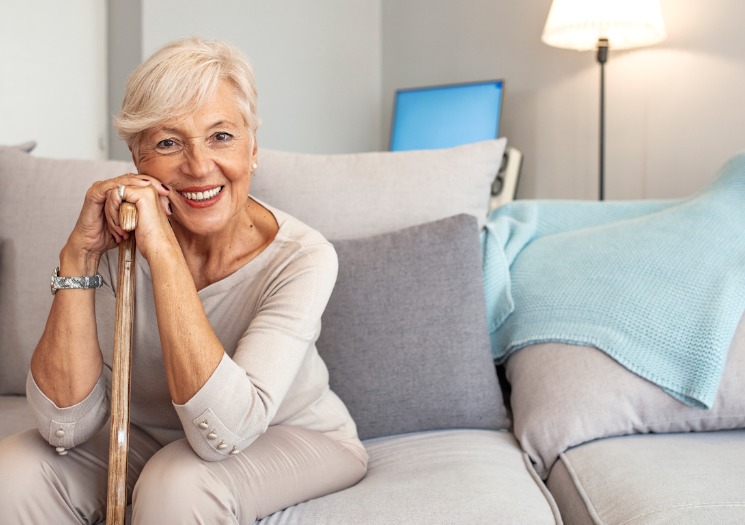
686, 478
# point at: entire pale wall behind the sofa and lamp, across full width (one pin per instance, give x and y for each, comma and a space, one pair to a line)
327, 70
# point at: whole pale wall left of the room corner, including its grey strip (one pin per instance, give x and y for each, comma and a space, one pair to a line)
318, 67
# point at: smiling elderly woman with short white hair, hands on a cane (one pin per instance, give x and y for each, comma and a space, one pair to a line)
232, 415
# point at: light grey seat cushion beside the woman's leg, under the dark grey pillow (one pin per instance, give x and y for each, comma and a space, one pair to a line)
440, 477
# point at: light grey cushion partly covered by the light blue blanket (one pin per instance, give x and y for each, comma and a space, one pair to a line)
563, 396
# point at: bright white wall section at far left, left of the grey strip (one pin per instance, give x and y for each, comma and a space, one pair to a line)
53, 76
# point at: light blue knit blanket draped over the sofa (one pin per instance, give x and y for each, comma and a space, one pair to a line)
657, 285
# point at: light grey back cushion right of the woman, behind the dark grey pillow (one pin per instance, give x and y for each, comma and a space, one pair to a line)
356, 195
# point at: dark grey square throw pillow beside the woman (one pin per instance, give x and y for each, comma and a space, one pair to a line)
405, 334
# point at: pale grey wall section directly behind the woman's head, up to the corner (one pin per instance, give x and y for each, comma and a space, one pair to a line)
317, 64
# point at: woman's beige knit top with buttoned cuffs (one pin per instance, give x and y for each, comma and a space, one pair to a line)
267, 316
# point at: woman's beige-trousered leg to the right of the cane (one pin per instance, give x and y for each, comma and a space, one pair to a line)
284, 466
